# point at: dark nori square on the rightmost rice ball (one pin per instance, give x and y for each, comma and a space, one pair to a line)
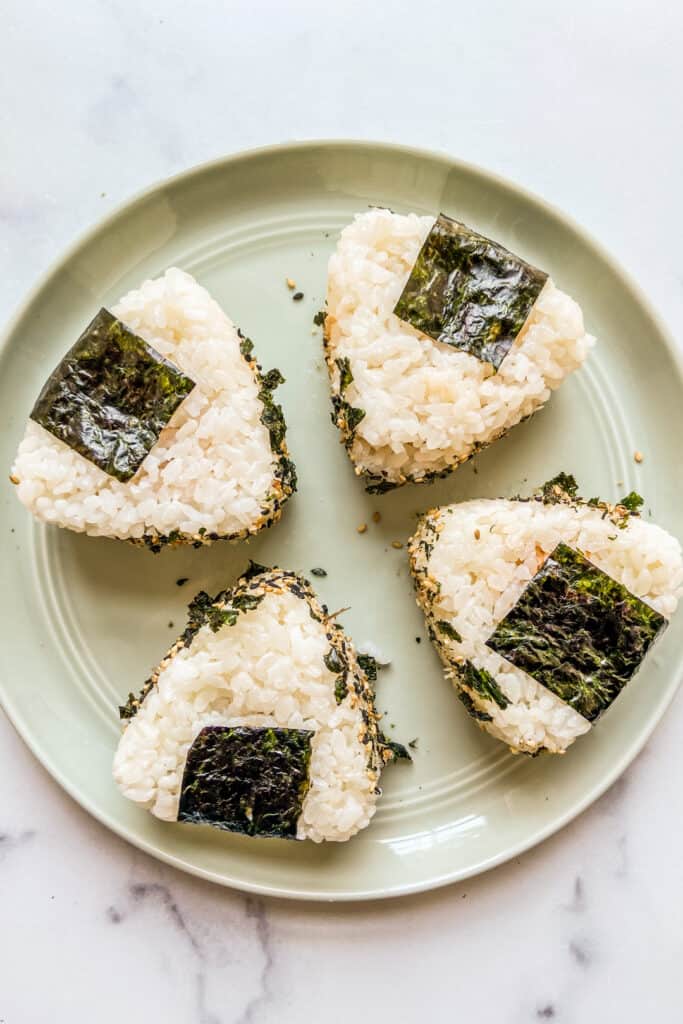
578, 631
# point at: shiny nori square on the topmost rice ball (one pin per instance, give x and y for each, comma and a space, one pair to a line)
469, 292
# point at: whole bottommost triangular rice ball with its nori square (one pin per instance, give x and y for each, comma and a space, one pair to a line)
260, 720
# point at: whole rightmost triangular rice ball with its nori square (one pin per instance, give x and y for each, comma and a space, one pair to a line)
543, 610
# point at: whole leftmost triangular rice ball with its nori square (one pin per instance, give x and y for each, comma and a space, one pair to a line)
212, 465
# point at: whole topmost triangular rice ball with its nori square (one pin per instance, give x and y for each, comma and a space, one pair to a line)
438, 342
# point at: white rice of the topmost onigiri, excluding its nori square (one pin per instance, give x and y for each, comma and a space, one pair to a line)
430, 407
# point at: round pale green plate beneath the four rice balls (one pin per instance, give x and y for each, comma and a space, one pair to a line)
84, 620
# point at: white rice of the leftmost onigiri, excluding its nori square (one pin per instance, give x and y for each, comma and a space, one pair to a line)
211, 473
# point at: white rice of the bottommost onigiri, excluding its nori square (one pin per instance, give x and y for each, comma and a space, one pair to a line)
268, 670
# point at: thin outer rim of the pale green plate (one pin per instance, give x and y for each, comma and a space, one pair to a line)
538, 836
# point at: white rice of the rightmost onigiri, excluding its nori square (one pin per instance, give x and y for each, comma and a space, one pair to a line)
473, 583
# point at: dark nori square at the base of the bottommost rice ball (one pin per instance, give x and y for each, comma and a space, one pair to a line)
247, 781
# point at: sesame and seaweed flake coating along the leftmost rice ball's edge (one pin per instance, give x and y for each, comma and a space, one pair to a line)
285, 478
